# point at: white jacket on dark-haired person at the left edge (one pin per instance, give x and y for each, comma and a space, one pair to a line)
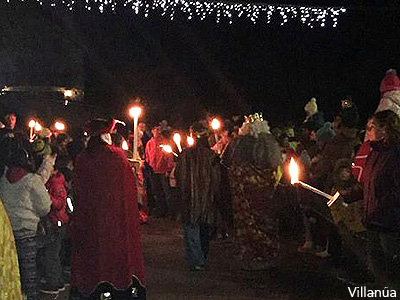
25, 201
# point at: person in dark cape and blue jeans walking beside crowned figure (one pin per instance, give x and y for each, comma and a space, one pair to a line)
198, 173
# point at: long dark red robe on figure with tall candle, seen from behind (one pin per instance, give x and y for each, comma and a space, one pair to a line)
105, 225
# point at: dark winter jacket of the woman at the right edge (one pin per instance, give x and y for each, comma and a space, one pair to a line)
381, 187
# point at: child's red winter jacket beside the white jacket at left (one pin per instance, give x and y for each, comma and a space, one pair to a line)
58, 196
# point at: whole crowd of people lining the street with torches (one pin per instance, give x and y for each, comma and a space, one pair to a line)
71, 209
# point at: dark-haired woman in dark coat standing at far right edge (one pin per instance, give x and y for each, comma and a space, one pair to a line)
381, 195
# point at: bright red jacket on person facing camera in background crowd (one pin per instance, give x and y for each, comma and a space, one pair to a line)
160, 161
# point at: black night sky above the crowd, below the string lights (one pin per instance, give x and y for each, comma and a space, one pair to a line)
183, 69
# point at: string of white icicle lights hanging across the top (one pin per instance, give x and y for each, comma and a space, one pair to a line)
218, 10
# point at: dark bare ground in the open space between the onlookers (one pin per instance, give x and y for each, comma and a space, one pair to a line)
299, 276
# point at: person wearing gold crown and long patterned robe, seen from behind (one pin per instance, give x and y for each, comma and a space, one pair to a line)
255, 157
